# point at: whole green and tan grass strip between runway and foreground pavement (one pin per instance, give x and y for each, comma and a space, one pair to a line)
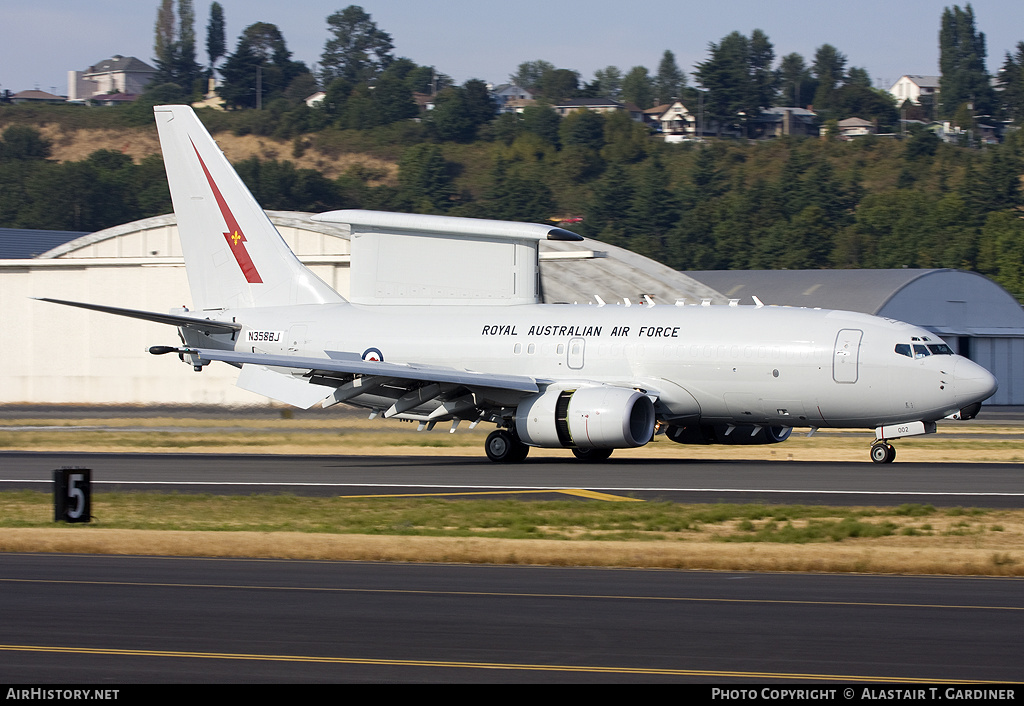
911, 539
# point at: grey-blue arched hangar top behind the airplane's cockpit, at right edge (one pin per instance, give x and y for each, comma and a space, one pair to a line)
947, 302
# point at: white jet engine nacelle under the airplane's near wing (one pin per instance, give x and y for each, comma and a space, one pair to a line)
600, 418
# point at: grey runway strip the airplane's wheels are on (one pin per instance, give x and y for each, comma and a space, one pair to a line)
974, 485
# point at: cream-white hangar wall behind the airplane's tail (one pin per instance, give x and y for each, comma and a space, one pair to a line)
73, 356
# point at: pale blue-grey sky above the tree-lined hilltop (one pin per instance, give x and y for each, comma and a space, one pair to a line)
484, 39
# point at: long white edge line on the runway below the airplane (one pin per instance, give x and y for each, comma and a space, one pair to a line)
526, 488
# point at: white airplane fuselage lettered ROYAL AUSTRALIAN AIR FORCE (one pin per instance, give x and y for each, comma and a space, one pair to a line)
794, 367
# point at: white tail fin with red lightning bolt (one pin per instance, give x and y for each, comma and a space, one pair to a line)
235, 257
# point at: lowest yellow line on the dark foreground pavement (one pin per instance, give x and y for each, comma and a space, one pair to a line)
477, 666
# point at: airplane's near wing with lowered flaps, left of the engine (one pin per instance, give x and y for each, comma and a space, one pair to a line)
421, 393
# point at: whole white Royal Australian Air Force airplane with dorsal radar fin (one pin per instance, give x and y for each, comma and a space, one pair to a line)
445, 324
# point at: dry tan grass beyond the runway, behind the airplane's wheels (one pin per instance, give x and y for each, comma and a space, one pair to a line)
357, 437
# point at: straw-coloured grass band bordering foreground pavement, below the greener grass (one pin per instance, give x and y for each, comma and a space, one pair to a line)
867, 558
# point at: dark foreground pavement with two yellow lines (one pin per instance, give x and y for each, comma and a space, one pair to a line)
130, 620
